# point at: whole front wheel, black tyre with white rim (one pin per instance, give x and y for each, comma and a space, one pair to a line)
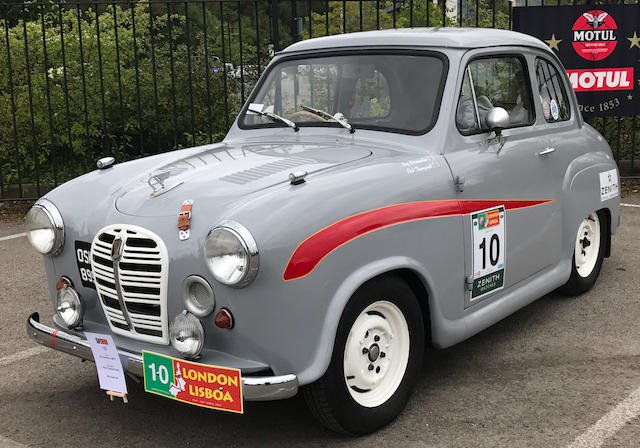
376, 360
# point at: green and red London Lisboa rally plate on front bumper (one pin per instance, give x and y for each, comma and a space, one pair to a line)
207, 386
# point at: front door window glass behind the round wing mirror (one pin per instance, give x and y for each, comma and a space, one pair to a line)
494, 82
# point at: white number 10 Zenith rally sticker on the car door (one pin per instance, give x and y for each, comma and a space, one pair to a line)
489, 245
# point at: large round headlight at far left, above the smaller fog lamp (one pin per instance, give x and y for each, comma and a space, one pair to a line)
44, 227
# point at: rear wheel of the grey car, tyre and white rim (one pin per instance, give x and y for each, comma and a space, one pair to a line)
588, 254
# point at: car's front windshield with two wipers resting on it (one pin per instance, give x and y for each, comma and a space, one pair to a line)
392, 92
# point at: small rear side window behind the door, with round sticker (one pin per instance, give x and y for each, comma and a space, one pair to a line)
553, 96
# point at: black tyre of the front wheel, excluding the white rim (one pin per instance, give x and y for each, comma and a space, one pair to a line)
329, 399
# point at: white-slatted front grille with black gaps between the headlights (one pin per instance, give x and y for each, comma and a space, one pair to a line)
130, 269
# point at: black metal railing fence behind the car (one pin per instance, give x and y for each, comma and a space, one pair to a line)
84, 79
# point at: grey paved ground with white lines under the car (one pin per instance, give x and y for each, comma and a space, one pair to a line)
556, 371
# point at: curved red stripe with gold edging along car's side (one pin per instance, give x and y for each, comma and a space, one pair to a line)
316, 247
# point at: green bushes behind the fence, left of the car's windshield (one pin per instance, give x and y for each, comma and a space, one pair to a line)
130, 82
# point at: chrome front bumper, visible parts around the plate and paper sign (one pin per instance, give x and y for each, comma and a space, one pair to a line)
254, 388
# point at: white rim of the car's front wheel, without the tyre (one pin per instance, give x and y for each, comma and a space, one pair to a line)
376, 354
